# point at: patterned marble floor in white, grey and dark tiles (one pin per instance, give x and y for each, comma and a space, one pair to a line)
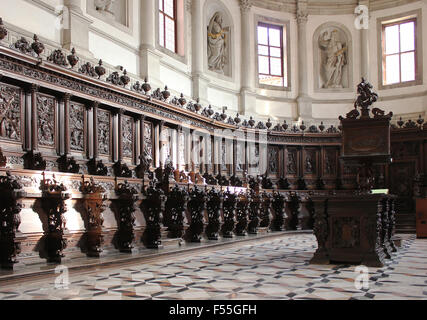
272, 269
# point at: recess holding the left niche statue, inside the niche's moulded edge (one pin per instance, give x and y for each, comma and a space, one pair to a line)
218, 42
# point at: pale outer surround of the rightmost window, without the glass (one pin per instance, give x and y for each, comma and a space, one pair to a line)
399, 18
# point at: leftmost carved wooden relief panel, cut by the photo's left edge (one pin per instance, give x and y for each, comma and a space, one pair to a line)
11, 113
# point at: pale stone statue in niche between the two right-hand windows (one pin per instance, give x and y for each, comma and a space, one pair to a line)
334, 60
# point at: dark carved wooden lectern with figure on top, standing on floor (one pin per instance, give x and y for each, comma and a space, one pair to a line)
357, 228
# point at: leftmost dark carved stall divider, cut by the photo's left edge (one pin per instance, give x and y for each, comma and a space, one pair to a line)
10, 208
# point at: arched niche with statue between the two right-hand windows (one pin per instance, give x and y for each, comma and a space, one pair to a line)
333, 58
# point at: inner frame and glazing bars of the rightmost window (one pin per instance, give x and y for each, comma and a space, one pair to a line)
400, 52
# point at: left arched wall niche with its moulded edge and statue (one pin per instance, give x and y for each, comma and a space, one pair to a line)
219, 42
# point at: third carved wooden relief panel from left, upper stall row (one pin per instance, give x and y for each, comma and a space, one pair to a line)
77, 127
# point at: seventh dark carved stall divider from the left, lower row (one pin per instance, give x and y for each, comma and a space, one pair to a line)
196, 208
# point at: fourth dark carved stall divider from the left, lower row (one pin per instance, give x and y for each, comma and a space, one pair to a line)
125, 205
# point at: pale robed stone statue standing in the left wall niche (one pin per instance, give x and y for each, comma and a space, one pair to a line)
216, 44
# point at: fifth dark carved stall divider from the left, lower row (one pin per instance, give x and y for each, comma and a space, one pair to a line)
153, 207
